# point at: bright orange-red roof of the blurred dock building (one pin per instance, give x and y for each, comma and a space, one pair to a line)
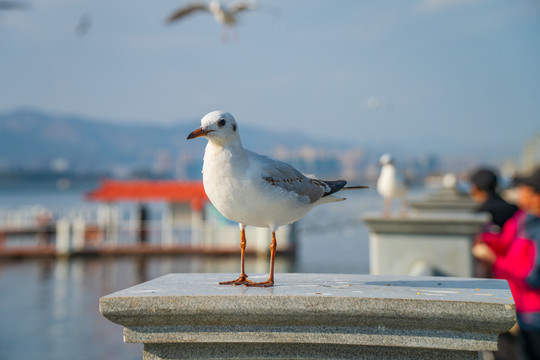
150, 190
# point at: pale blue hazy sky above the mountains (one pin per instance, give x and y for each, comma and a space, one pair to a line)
459, 76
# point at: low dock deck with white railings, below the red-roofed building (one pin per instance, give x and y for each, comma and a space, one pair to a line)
62, 239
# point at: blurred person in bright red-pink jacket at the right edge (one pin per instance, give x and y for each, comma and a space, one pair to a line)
519, 264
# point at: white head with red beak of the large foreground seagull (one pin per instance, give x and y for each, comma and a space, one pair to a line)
219, 127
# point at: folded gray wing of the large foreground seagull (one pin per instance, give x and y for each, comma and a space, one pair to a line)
282, 175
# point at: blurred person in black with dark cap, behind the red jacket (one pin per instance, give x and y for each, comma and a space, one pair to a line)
483, 190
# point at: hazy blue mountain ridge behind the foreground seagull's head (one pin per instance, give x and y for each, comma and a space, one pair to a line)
34, 139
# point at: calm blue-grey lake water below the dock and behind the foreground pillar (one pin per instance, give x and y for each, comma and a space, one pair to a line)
49, 308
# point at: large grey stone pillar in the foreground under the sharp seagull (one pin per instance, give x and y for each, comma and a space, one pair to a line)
313, 316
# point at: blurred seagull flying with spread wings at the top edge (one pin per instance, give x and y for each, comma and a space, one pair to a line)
223, 15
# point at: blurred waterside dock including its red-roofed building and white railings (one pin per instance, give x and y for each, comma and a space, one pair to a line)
187, 224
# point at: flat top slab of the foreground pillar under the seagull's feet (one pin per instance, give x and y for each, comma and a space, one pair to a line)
192, 287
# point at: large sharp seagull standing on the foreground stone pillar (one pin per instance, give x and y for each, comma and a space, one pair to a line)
255, 190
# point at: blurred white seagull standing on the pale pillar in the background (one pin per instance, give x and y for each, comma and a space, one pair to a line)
391, 185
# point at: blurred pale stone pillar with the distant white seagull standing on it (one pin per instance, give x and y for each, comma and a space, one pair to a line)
423, 244
